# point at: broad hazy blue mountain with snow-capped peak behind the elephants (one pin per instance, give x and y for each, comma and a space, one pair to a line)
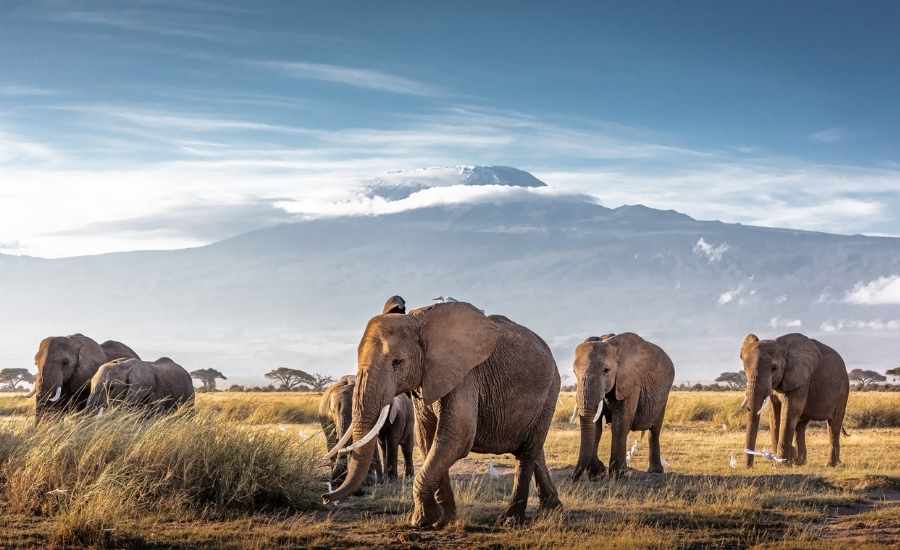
299, 294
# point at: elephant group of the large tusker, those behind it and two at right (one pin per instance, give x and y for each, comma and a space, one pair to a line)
469, 382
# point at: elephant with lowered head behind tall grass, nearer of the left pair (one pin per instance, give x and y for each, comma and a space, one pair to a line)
160, 386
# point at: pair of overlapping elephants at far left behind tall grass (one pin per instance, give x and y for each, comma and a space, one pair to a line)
75, 373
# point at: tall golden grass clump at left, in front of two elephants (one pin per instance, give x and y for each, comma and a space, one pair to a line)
91, 473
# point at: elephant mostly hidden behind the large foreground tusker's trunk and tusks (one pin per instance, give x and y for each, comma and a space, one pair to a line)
335, 415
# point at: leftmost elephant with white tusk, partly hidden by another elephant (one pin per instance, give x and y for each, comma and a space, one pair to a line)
65, 366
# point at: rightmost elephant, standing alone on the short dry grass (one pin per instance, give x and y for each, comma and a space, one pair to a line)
805, 380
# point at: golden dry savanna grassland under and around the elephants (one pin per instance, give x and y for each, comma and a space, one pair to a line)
245, 471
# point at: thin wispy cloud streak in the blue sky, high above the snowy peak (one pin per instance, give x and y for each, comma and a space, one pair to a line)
369, 79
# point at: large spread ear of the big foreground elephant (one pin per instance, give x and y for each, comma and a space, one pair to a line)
457, 337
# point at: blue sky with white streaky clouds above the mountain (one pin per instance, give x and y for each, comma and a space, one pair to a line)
162, 124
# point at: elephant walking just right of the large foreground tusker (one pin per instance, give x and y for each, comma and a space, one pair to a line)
632, 377
